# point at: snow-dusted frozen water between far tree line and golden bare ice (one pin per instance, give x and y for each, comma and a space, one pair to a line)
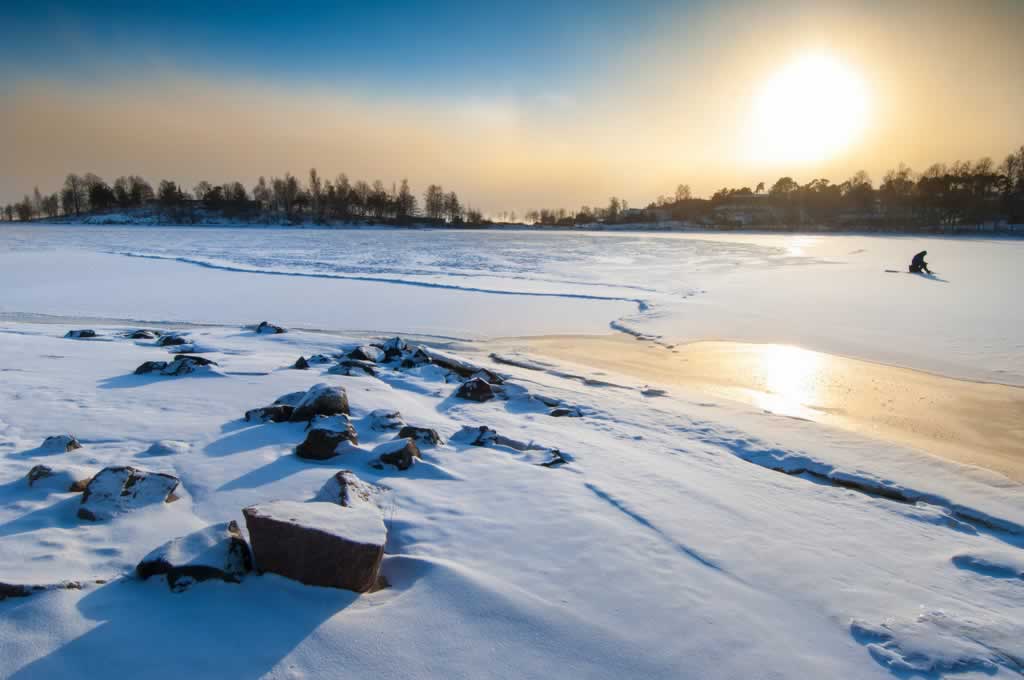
828, 293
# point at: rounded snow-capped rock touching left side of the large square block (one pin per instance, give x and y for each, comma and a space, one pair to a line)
216, 552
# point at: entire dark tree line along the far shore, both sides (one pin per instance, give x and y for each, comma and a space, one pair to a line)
962, 194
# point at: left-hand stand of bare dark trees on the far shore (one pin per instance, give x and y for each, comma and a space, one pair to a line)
284, 199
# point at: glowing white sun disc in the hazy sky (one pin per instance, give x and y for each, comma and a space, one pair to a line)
807, 112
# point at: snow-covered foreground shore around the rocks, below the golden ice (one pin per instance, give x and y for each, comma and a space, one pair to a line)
667, 547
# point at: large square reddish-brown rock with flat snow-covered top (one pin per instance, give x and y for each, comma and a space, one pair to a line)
319, 544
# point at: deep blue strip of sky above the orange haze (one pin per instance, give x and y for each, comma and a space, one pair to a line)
471, 47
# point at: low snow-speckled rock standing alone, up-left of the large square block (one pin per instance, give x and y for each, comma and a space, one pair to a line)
122, 489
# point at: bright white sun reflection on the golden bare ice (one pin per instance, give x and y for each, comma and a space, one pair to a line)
791, 380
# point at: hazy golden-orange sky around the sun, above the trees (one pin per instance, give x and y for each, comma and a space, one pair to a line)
941, 82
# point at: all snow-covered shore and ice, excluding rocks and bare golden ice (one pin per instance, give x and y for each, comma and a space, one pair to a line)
685, 537
